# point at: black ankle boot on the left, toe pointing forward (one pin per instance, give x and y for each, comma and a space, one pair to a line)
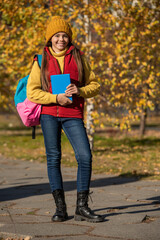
61, 210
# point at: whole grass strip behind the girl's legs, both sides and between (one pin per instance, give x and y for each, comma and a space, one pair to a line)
124, 157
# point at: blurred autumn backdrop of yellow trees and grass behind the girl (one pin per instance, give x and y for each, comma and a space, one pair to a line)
121, 40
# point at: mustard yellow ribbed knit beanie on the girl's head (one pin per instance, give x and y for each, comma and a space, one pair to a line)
58, 24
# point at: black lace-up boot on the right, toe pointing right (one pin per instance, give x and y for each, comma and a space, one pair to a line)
83, 212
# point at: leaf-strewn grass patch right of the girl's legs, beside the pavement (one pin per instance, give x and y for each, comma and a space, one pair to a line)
128, 156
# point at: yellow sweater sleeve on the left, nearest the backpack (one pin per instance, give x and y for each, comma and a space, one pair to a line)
34, 90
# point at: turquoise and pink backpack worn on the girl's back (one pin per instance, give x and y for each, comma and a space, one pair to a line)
28, 111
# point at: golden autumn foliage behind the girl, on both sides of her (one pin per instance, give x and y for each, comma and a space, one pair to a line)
124, 49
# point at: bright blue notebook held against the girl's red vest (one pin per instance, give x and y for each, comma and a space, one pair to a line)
59, 83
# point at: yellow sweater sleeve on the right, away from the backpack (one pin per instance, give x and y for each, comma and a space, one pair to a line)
91, 87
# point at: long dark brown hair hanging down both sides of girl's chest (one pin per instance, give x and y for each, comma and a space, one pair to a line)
44, 67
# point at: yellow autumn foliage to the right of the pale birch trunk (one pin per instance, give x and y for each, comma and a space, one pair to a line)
129, 66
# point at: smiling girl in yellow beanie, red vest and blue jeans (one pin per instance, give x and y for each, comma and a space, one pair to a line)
60, 56
